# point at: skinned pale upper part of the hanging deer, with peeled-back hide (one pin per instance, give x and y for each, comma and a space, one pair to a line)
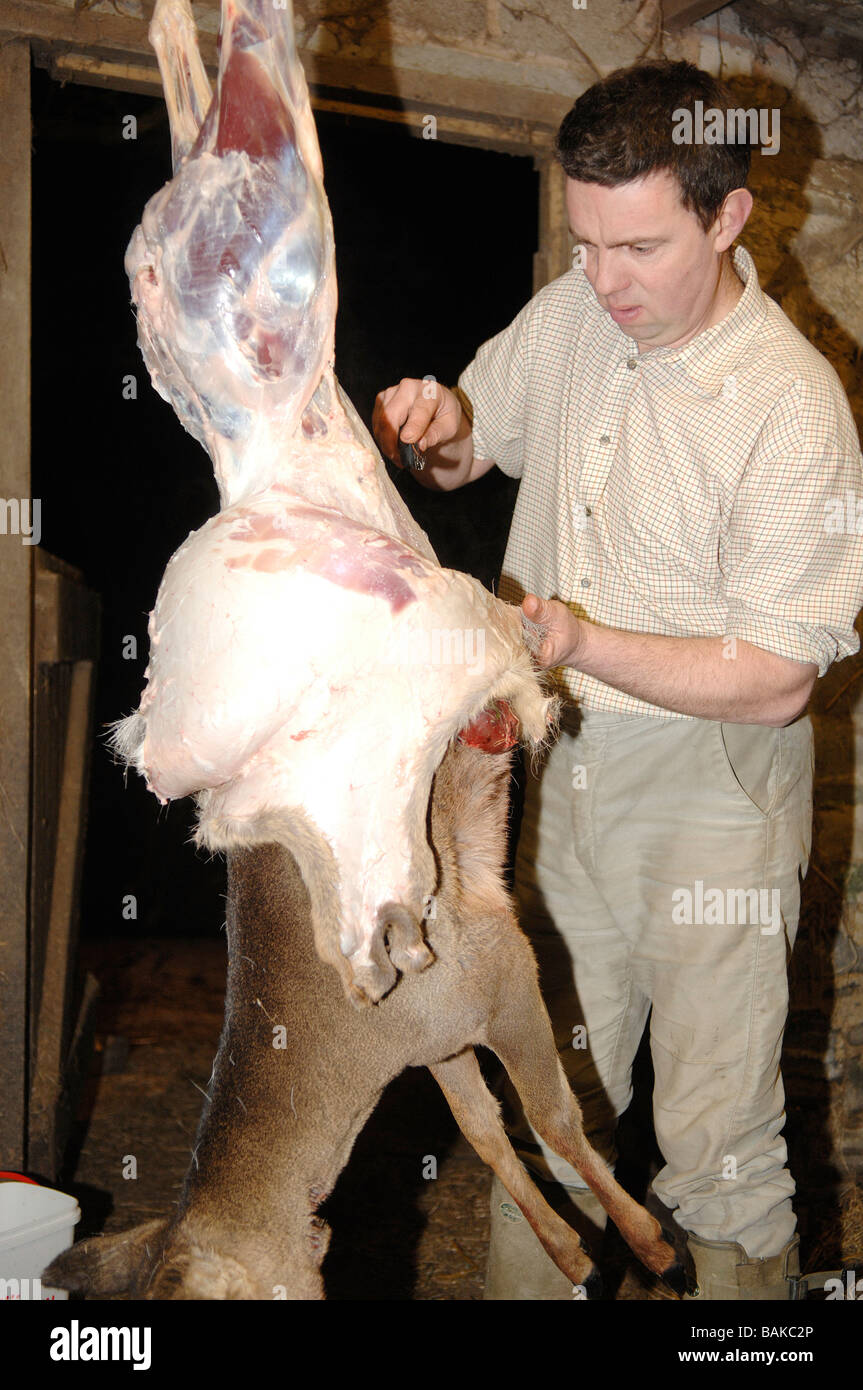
309, 658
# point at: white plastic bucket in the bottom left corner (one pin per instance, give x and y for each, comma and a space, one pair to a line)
37, 1224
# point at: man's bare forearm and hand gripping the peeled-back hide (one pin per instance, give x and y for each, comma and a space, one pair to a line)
711, 678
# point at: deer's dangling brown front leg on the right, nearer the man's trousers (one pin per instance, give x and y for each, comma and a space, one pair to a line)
520, 1033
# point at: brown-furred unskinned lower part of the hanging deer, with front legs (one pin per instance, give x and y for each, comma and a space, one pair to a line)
280, 1124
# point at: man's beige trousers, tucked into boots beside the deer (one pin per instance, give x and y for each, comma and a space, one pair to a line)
658, 874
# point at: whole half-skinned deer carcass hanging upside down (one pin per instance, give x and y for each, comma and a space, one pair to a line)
293, 693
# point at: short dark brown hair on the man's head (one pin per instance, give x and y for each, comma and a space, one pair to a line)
620, 130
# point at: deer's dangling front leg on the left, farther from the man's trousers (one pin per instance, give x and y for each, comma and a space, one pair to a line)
479, 1118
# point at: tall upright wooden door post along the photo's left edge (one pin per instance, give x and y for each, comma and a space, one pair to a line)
16, 593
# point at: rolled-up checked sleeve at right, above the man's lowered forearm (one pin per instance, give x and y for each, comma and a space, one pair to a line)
794, 555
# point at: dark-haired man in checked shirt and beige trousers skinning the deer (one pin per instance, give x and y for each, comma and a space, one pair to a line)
680, 448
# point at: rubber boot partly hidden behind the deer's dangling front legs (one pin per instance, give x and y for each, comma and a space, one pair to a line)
518, 1266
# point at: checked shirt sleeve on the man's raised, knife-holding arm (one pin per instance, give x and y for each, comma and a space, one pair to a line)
495, 384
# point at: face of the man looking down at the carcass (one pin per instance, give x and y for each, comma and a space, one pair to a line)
651, 265
